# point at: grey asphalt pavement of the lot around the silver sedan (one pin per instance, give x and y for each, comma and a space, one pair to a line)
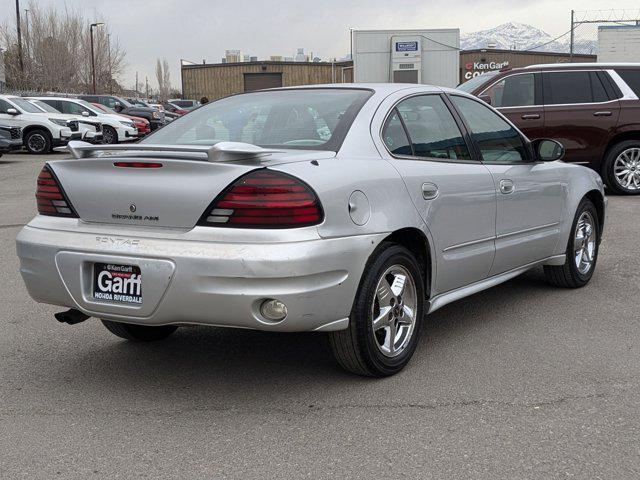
520, 381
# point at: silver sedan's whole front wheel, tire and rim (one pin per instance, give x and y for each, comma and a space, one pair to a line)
582, 250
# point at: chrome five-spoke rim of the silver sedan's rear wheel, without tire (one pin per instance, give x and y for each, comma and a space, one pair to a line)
394, 310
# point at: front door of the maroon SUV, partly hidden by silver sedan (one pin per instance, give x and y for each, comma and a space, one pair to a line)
519, 98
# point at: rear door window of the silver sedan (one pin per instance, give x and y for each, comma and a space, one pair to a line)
431, 128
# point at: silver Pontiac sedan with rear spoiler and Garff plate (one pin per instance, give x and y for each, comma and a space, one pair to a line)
353, 210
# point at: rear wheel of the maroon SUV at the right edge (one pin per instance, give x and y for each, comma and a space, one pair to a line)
622, 157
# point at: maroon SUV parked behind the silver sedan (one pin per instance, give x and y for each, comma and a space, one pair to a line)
593, 109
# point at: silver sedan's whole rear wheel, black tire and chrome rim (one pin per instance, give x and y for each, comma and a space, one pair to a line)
383, 298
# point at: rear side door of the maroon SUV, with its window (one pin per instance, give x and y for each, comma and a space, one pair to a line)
579, 114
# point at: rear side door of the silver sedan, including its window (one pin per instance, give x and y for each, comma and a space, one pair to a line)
452, 191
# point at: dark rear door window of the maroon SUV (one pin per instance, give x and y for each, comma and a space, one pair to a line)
573, 87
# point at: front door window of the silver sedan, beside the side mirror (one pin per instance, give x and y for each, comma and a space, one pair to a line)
498, 141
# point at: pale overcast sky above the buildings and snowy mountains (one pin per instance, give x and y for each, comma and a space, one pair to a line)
202, 29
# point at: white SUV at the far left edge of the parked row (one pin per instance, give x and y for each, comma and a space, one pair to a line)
40, 131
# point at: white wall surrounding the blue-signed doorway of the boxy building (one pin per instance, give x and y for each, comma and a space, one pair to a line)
440, 55
